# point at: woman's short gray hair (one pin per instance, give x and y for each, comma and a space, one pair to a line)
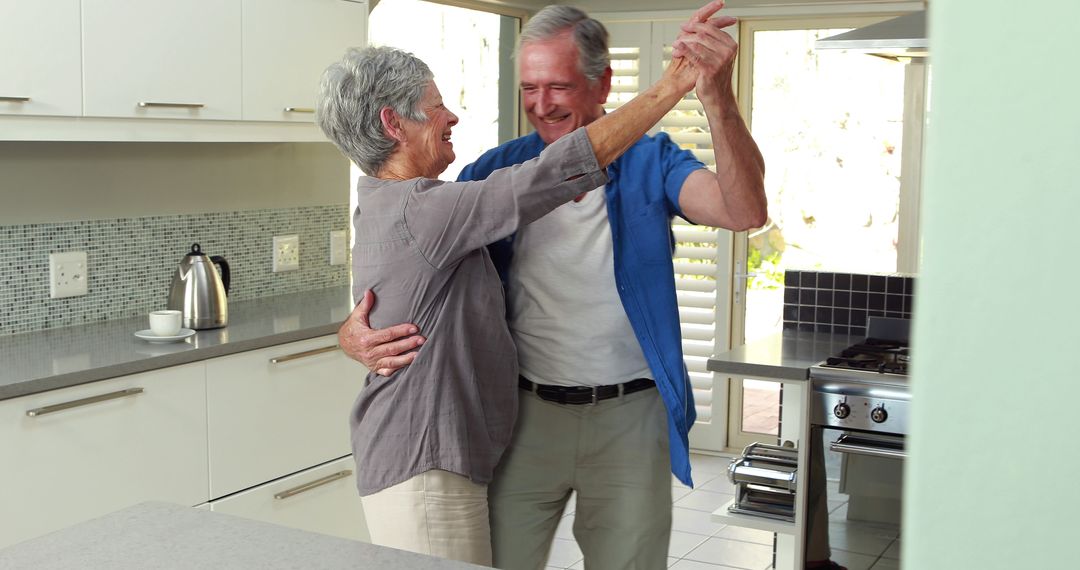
354, 92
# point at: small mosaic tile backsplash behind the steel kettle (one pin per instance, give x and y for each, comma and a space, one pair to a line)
131, 262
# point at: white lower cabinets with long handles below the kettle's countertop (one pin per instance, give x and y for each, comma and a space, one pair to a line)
262, 435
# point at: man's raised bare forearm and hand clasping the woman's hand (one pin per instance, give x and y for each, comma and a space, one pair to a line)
734, 198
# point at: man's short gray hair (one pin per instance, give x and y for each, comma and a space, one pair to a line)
589, 35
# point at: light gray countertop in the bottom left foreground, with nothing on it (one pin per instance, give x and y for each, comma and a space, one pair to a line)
161, 536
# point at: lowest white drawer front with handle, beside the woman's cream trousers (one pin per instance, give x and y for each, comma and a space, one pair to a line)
322, 499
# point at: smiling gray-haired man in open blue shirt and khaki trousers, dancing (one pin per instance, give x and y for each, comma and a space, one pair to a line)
606, 402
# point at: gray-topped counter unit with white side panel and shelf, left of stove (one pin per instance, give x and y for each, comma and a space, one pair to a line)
784, 358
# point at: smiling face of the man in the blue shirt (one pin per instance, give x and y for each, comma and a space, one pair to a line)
558, 97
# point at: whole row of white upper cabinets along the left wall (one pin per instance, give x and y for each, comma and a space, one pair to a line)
208, 71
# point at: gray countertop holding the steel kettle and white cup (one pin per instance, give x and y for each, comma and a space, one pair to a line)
61, 358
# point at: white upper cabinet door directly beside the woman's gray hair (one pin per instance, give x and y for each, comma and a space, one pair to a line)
288, 45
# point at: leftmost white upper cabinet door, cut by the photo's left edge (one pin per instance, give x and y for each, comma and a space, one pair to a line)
40, 73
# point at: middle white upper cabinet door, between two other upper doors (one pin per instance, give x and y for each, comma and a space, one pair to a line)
161, 59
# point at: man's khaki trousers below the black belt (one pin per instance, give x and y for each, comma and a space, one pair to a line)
615, 455
